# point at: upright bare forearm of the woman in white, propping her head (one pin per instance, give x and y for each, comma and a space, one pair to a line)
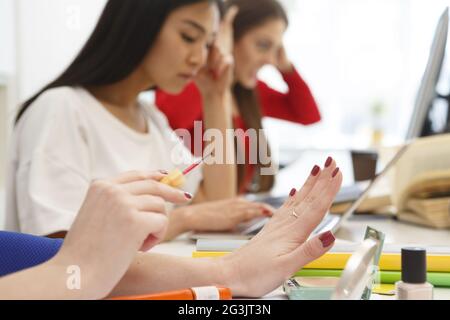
218, 116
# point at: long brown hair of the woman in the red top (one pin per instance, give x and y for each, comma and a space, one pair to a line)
251, 15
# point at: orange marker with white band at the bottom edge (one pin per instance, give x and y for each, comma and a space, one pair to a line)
198, 293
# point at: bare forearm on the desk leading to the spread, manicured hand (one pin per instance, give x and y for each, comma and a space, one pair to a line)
151, 273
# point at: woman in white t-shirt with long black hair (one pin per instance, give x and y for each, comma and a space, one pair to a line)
89, 123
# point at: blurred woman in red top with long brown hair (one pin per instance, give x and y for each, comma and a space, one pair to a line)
258, 32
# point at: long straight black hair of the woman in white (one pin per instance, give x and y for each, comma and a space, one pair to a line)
125, 32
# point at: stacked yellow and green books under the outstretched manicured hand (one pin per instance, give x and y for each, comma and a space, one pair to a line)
332, 263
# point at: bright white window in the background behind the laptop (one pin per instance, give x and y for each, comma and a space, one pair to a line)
363, 60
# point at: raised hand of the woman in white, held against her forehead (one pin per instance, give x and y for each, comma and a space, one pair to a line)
216, 77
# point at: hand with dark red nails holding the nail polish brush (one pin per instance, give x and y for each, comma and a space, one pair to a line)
118, 217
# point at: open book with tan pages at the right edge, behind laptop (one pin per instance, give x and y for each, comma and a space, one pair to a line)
421, 185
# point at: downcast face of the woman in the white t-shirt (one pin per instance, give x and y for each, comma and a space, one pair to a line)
182, 46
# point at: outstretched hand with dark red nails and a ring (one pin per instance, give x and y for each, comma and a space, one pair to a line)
282, 247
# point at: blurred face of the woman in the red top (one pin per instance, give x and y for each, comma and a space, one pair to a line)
257, 48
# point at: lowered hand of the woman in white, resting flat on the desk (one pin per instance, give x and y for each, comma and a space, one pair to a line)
224, 215
